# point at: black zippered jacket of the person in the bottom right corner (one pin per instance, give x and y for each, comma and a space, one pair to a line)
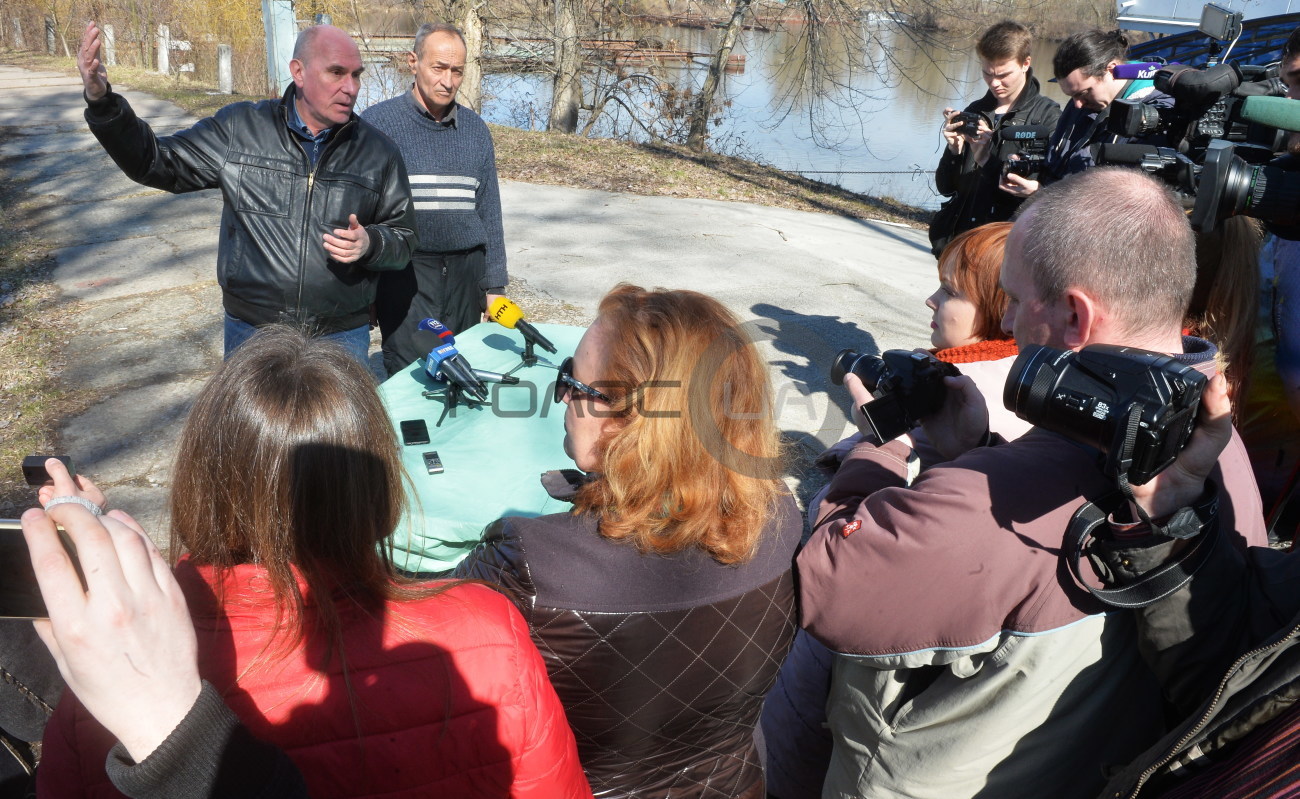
1227, 649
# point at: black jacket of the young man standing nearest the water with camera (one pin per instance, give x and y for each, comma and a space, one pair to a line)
976, 197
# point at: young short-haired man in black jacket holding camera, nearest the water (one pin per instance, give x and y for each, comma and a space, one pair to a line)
972, 167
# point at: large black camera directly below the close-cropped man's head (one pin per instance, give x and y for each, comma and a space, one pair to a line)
1137, 407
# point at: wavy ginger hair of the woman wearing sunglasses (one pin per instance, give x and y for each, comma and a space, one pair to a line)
694, 455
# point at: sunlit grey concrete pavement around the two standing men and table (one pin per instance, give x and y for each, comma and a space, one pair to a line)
136, 273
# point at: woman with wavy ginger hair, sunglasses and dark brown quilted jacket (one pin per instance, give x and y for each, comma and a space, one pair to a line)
664, 603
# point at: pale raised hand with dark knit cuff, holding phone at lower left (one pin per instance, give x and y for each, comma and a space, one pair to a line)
125, 642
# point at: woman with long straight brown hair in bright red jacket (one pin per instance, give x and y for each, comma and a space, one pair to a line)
288, 480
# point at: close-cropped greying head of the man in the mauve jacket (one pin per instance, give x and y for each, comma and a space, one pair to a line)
1120, 236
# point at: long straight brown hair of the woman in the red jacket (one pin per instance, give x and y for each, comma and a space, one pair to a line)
289, 462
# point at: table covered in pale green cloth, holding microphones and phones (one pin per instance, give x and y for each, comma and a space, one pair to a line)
493, 455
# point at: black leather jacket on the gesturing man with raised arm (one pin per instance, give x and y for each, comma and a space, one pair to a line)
271, 257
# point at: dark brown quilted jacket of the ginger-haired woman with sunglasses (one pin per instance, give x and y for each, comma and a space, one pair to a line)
661, 662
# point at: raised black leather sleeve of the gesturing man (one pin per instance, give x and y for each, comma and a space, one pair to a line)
189, 160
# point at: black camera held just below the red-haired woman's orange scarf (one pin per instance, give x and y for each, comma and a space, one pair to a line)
908, 387
